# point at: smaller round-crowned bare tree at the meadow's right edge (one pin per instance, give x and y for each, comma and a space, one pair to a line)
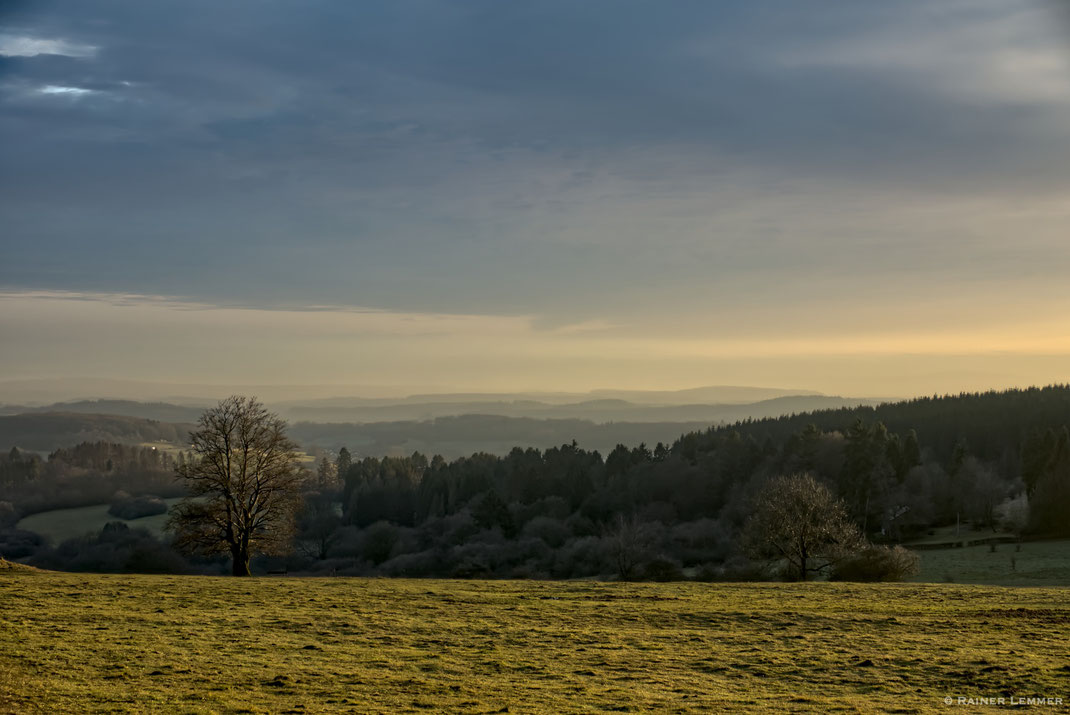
799, 520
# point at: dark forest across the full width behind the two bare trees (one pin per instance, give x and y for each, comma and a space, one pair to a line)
998, 461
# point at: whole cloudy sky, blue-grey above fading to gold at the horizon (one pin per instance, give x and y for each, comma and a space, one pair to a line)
867, 200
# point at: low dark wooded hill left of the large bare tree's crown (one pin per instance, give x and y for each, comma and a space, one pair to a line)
50, 431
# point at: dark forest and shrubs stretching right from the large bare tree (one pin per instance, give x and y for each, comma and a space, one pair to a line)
690, 508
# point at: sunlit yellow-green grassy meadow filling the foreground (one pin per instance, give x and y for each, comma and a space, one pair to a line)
205, 645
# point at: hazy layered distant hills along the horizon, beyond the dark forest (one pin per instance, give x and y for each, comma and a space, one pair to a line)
386, 427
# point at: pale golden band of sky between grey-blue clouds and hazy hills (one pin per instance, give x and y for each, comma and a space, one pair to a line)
154, 338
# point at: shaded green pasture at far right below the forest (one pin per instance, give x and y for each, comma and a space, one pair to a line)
1037, 564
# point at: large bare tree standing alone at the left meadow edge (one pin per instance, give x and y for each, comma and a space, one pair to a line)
244, 482
